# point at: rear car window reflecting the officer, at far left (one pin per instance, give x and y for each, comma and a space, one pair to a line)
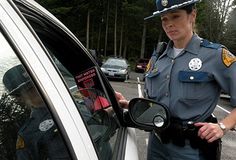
28, 130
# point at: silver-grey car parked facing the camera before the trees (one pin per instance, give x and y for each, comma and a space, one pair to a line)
116, 68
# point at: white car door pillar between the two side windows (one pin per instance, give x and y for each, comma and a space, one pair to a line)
48, 82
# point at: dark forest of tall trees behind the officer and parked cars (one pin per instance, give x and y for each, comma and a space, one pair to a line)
117, 27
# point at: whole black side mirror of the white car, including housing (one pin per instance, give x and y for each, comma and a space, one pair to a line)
148, 114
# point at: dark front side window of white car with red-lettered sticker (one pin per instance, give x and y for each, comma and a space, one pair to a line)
83, 80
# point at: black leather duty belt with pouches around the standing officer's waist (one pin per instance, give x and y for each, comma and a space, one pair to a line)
182, 134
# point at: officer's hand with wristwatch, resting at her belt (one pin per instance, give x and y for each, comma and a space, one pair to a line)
209, 131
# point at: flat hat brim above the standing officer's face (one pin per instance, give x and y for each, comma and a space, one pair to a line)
169, 9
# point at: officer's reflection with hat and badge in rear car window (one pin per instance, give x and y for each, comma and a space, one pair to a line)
38, 138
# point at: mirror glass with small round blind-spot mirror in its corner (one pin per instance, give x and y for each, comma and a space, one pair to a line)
148, 112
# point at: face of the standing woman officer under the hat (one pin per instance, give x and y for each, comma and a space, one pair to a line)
178, 25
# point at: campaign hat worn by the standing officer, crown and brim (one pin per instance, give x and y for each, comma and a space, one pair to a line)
164, 6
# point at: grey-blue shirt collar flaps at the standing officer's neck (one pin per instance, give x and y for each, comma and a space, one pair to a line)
192, 47
